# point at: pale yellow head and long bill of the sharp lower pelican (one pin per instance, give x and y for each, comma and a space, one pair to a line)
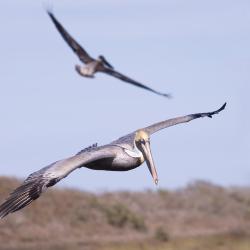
142, 142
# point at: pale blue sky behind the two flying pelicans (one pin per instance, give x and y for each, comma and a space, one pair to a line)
197, 50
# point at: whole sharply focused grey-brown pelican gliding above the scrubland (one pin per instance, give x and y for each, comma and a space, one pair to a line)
126, 153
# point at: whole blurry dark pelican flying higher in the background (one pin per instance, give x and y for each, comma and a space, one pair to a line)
95, 65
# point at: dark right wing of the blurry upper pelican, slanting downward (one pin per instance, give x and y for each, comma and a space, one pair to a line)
124, 78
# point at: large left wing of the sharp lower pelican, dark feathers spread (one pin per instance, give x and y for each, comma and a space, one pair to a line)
39, 181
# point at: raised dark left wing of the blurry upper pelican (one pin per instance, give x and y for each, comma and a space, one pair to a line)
76, 47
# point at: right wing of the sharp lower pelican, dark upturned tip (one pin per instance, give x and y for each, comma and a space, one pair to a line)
171, 122
